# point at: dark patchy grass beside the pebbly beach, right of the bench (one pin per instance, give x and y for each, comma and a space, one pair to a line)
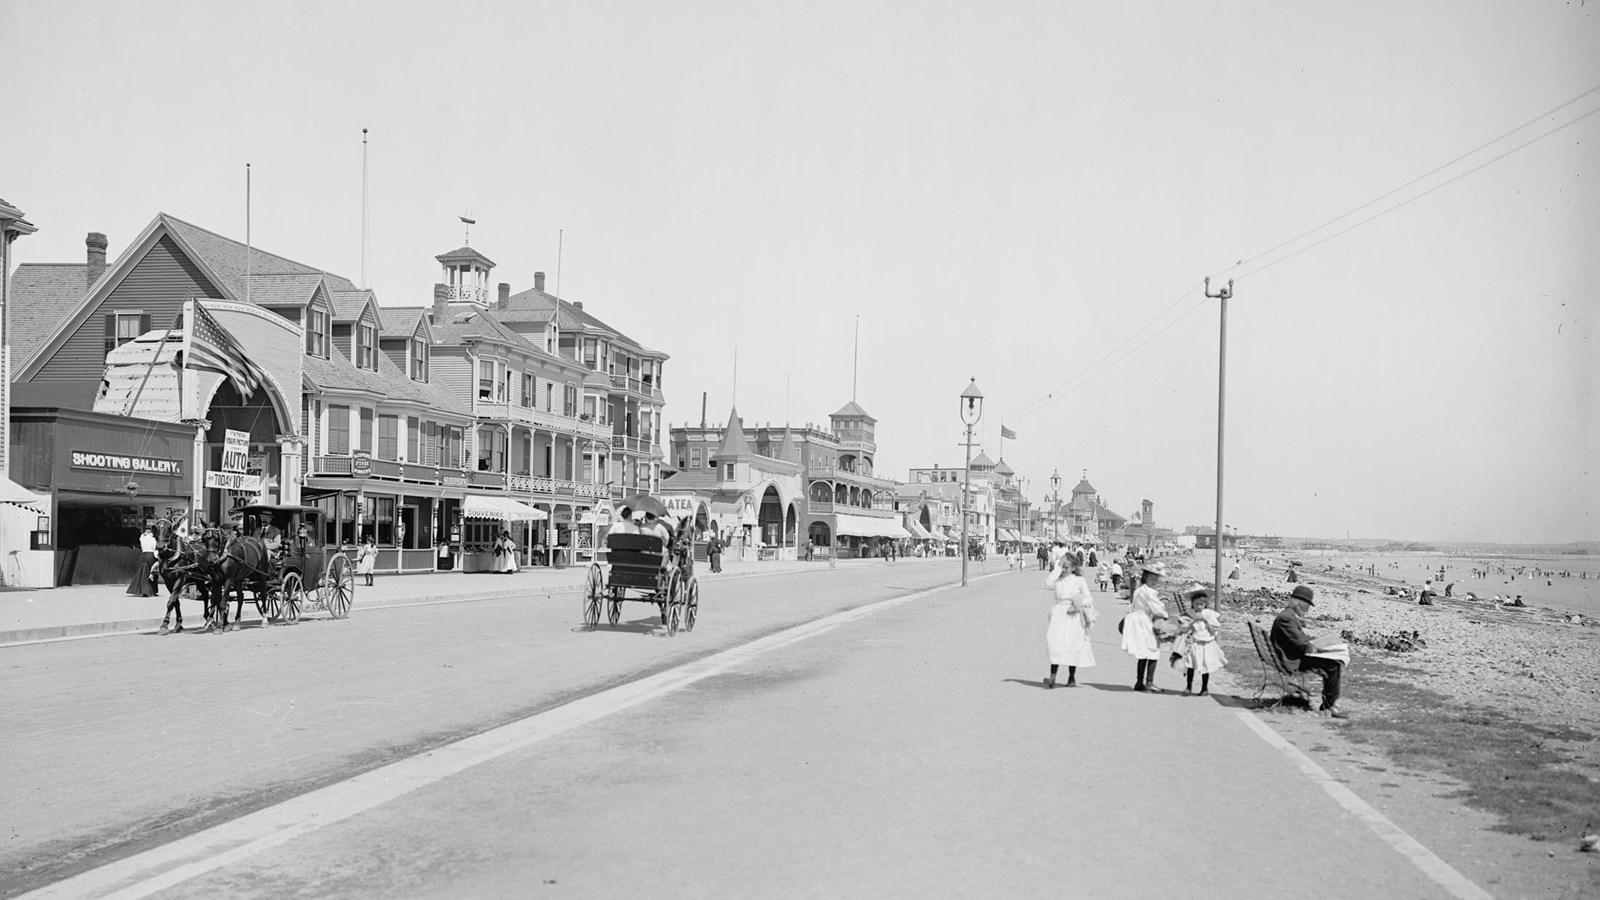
1510, 768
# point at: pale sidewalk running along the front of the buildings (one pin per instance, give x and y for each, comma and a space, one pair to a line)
58, 614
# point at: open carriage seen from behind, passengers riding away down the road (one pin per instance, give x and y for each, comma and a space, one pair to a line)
650, 571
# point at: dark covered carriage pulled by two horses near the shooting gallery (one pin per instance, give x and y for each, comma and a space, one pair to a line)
298, 573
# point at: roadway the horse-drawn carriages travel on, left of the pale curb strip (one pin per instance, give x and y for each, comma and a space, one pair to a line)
121, 742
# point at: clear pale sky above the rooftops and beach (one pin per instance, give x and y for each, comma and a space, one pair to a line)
1028, 195
